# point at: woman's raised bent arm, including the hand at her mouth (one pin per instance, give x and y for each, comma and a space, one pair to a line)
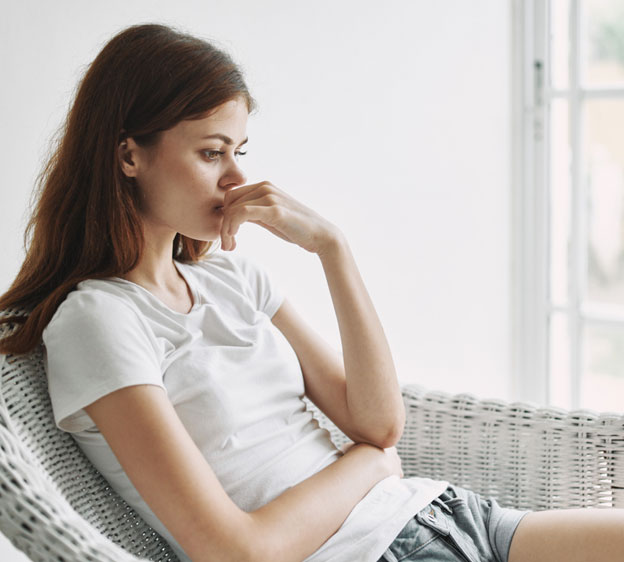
359, 393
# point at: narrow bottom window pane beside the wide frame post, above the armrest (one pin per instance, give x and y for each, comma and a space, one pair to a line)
560, 375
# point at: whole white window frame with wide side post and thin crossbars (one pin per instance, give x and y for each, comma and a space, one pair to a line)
532, 308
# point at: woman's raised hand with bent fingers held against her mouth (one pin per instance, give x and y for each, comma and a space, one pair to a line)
270, 207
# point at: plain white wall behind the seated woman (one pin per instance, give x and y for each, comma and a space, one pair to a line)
393, 122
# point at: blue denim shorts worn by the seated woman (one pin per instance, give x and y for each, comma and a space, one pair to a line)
457, 526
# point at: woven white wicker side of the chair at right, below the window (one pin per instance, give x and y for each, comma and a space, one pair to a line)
524, 456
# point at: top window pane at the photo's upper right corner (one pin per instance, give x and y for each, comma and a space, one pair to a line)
603, 42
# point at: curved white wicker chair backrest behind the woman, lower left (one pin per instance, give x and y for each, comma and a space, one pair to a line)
52, 499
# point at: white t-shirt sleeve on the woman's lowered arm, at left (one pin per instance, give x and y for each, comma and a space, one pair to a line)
95, 344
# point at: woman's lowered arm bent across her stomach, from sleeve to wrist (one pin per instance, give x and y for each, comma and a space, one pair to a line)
175, 480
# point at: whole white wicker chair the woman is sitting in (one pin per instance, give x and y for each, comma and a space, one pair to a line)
55, 506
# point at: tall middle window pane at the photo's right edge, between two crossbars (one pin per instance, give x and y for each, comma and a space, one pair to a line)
604, 158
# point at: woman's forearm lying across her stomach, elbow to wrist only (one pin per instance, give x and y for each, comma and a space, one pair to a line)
299, 521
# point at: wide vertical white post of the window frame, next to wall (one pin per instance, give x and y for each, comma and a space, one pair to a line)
529, 209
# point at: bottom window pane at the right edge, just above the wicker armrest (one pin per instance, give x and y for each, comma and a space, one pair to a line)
602, 385
